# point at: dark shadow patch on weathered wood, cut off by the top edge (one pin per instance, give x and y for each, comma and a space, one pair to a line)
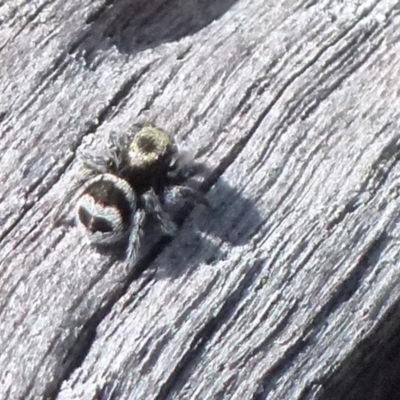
136, 25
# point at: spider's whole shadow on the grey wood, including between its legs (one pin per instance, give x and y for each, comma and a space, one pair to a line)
204, 233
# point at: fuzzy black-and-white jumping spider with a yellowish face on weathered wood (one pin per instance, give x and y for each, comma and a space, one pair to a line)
142, 173
